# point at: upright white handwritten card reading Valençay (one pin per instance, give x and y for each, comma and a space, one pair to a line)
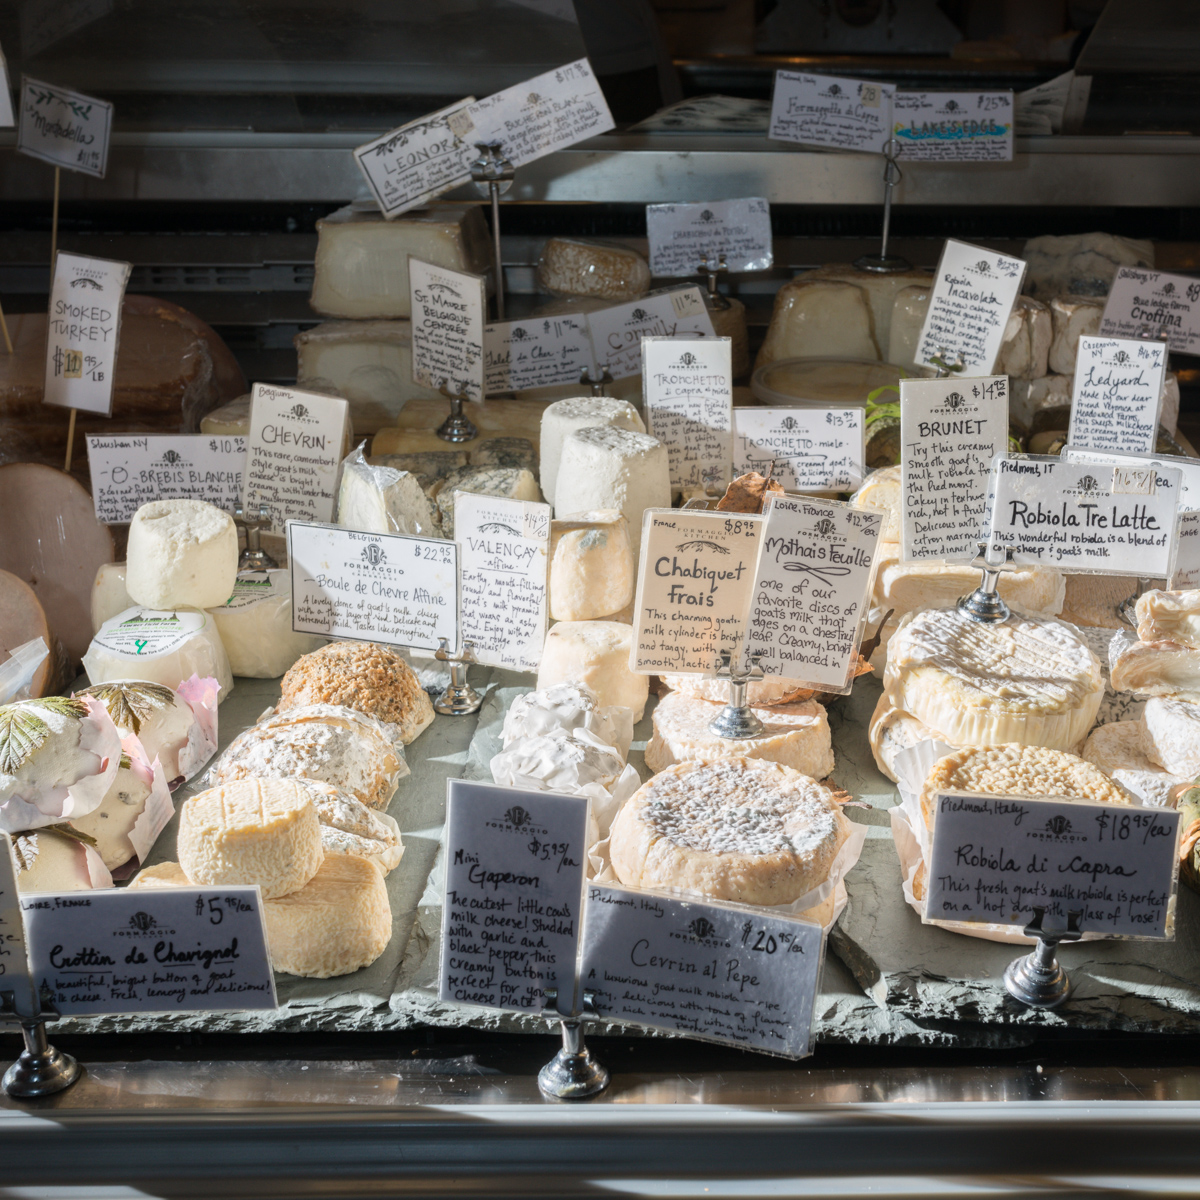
503, 547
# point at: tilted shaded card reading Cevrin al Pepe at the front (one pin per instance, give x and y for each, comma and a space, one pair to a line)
717, 973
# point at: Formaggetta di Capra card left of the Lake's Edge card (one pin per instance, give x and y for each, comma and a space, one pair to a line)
829, 111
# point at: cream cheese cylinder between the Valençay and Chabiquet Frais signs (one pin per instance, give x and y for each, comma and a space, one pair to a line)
592, 571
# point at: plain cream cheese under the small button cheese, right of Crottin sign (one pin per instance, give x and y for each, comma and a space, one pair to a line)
338, 923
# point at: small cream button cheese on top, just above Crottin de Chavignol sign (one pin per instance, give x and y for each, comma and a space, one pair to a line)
251, 831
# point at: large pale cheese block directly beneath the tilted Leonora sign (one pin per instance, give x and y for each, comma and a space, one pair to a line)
362, 269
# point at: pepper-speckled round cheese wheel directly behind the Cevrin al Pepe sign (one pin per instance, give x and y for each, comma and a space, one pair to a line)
733, 830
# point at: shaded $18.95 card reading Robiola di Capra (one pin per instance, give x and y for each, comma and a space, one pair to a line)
997, 859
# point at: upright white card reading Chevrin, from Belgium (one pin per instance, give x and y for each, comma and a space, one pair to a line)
293, 453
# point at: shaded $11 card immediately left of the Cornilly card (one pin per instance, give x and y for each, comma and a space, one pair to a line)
536, 352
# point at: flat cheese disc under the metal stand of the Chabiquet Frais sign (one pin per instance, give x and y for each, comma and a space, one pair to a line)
795, 736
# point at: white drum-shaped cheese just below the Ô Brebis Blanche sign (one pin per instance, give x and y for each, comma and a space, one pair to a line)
182, 553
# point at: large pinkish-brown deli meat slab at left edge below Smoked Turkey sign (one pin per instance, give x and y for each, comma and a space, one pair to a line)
53, 542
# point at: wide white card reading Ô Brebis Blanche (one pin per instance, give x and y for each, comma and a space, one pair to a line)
131, 470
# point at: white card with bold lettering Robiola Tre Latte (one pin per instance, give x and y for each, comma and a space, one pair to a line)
1069, 515
